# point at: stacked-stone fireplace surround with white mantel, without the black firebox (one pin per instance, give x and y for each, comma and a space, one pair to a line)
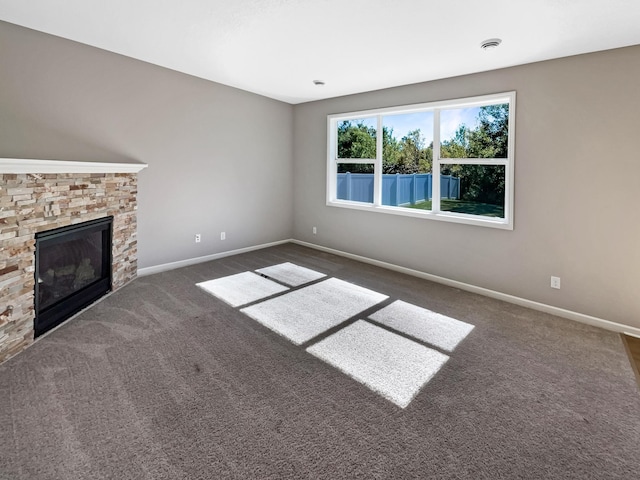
38, 196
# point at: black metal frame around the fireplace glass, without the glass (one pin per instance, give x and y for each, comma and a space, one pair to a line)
56, 313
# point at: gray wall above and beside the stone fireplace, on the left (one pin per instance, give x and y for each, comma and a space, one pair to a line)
220, 159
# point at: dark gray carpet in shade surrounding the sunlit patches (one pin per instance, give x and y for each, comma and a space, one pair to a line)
164, 381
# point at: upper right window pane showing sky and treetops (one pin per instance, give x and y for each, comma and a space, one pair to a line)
476, 132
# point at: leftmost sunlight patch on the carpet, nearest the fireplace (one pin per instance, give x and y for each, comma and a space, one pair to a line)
241, 288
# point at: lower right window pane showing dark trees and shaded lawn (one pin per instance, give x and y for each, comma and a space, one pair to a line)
473, 189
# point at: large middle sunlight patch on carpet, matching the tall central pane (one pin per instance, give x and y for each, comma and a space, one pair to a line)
303, 314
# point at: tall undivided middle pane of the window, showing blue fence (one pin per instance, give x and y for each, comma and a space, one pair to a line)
407, 160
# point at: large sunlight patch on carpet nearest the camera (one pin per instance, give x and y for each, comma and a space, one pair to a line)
391, 365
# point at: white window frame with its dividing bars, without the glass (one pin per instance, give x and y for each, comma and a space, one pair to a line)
435, 213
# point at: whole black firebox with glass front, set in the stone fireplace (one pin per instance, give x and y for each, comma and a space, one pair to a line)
73, 269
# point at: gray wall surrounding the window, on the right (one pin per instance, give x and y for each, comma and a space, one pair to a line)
576, 189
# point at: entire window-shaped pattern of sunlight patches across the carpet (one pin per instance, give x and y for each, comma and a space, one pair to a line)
381, 357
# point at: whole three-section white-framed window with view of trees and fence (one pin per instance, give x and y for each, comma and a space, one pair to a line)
450, 160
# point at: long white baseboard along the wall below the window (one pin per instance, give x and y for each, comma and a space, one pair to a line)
560, 312
